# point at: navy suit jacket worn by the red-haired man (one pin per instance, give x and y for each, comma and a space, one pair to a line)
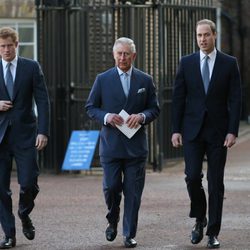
29, 86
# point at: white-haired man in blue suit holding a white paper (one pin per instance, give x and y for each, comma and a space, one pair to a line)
123, 159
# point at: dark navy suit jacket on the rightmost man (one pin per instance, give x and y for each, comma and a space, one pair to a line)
222, 103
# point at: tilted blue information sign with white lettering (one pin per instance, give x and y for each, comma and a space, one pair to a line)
80, 150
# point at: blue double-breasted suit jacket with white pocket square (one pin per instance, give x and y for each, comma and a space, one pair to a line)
107, 96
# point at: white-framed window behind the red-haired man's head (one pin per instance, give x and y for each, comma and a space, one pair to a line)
27, 36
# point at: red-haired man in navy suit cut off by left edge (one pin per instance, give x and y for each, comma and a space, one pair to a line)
21, 133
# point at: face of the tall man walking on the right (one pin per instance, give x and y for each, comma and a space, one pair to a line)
205, 38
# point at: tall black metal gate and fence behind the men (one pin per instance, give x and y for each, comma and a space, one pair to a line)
75, 43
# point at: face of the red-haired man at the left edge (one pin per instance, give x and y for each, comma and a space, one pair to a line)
8, 49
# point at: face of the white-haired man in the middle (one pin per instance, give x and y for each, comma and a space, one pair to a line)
123, 57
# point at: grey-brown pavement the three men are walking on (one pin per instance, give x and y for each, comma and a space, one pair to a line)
70, 210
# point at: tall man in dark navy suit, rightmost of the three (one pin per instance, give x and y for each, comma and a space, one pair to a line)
206, 114
